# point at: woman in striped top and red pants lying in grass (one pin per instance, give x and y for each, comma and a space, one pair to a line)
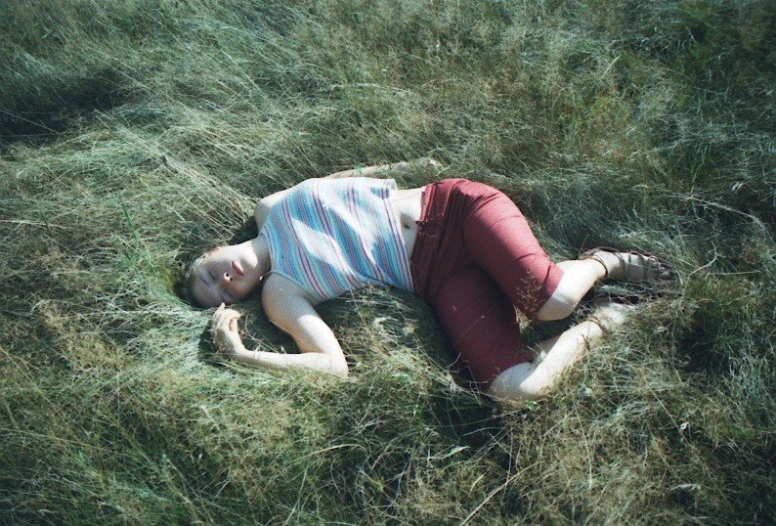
461, 246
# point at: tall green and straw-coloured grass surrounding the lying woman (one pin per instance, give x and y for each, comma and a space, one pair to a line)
134, 134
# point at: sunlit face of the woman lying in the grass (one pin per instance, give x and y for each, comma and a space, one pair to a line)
225, 275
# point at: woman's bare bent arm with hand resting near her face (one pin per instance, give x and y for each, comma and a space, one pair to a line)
293, 314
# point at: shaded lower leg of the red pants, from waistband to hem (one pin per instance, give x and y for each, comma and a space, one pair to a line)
474, 312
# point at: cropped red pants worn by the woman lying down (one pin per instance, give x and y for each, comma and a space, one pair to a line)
475, 259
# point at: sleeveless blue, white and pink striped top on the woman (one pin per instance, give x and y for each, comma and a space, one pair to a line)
332, 236
